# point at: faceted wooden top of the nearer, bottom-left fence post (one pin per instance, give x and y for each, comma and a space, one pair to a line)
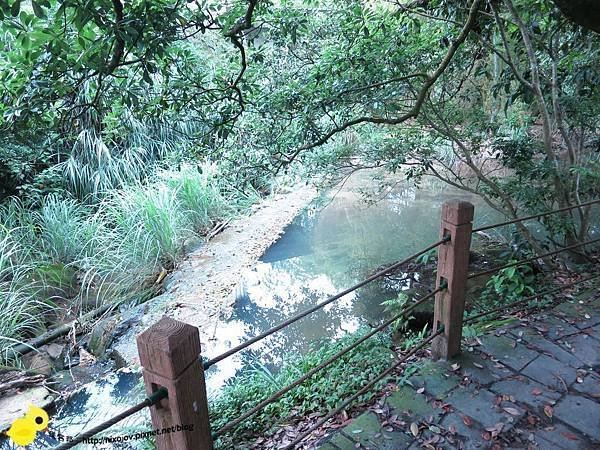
168, 347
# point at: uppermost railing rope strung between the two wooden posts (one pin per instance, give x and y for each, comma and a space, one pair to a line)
293, 319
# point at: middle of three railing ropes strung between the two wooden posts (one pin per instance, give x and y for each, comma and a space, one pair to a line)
323, 365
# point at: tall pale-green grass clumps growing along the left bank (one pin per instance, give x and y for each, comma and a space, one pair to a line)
77, 255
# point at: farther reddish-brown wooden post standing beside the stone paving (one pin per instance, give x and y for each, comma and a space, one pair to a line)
452, 269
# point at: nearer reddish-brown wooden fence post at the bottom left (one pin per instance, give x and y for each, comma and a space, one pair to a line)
169, 353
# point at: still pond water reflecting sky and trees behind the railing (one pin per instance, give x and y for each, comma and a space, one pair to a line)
336, 242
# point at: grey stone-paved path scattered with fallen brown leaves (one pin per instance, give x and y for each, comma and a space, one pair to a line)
532, 384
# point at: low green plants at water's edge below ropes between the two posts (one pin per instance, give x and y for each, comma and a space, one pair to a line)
323, 391
